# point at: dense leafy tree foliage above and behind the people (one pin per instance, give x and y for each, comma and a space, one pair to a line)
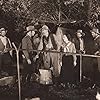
15, 15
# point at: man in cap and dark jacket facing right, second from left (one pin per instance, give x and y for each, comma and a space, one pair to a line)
27, 47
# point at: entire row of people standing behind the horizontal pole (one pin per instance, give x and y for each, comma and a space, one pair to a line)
39, 52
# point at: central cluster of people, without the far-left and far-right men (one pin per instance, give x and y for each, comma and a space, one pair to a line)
61, 64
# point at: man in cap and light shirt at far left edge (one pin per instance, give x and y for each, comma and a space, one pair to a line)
5, 50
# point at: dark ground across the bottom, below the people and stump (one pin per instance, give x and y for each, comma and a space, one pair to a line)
85, 90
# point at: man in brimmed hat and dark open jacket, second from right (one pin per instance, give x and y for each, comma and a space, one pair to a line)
80, 48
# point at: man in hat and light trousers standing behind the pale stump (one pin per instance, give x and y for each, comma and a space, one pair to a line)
48, 42
